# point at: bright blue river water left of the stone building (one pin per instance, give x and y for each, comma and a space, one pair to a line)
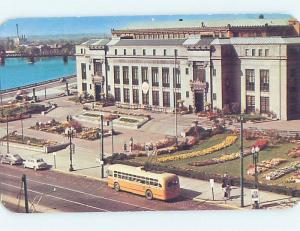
19, 72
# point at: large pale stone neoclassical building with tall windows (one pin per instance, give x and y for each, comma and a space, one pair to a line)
247, 74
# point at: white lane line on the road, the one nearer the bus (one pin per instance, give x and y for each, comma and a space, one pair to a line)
77, 191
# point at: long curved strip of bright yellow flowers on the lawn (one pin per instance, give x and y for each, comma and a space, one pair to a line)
226, 143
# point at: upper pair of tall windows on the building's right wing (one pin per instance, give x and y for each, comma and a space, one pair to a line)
250, 80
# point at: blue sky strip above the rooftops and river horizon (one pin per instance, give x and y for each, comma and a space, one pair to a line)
60, 26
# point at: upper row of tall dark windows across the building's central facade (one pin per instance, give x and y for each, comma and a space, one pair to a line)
144, 71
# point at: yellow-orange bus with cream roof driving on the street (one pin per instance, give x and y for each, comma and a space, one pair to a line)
163, 186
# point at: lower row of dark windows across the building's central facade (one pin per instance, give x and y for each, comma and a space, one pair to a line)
145, 97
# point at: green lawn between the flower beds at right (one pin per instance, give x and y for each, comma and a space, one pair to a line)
233, 167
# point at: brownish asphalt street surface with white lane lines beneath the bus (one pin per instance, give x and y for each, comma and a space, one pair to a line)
54, 191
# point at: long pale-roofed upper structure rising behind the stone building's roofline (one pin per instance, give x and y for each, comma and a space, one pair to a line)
214, 28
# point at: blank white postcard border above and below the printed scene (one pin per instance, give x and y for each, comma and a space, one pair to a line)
202, 220
